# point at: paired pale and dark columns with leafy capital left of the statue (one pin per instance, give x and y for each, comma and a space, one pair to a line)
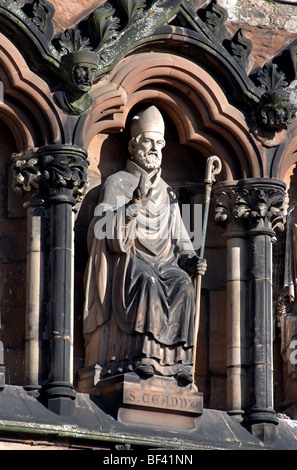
53, 176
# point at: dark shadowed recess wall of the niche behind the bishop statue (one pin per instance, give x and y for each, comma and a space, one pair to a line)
183, 167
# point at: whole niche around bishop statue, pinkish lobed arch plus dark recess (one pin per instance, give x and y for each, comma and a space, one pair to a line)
200, 122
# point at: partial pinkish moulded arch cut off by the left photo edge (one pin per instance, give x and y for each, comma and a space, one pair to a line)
24, 89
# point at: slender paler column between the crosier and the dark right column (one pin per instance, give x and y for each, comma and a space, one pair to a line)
238, 334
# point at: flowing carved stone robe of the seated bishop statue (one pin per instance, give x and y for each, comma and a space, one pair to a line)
139, 302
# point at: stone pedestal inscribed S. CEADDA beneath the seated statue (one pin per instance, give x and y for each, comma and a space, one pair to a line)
158, 401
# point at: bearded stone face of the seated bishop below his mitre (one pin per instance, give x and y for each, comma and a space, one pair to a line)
146, 150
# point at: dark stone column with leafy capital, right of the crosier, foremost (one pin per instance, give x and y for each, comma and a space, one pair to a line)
259, 204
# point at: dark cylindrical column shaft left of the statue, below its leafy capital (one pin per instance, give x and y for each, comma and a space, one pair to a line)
59, 388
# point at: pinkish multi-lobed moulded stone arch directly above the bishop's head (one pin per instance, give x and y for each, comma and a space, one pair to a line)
191, 98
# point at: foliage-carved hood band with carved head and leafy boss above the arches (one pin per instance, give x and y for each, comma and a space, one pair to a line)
116, 28
